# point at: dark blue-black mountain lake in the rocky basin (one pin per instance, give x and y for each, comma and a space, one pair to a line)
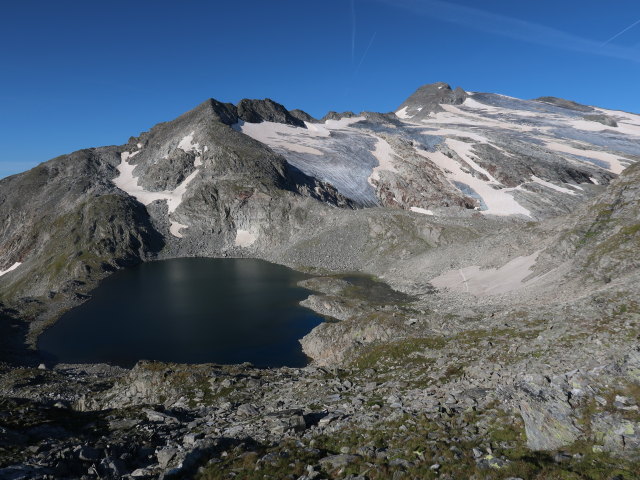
190, 310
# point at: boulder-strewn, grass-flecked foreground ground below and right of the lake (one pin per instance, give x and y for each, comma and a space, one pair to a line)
490, 394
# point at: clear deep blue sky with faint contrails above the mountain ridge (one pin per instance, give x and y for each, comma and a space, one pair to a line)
81, 74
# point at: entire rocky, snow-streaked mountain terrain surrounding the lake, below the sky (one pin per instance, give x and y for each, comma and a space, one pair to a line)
495, 333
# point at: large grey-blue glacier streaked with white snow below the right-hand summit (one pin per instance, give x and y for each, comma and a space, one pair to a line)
351, 153
